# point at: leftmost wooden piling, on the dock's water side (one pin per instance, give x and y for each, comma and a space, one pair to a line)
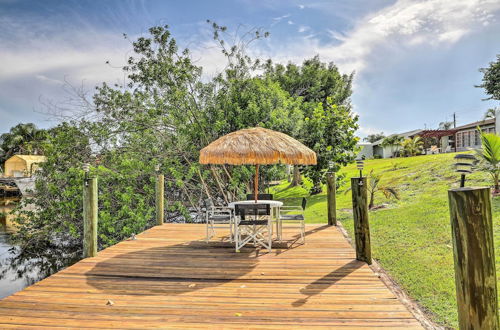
90, 208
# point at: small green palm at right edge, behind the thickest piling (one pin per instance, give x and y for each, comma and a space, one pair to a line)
489, 155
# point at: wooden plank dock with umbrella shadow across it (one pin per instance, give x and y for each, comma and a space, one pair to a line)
169, 277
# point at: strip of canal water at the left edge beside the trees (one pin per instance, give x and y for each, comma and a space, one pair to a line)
10, 280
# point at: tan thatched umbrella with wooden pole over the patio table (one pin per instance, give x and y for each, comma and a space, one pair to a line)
257, 146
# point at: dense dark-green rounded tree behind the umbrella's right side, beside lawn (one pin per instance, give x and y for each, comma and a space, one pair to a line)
329, 124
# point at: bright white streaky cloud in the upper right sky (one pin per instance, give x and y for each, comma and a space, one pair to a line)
405, 24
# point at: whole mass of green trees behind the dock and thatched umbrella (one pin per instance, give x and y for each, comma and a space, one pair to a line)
164, 114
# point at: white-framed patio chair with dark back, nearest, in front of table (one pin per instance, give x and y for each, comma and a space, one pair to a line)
253, 224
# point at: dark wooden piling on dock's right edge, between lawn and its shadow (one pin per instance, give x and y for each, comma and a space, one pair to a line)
360, 213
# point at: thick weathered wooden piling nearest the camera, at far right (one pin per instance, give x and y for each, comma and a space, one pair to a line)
474, 256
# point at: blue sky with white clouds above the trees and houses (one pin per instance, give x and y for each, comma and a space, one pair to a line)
415, 62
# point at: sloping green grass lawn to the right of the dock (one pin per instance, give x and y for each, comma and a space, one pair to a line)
411, 237
